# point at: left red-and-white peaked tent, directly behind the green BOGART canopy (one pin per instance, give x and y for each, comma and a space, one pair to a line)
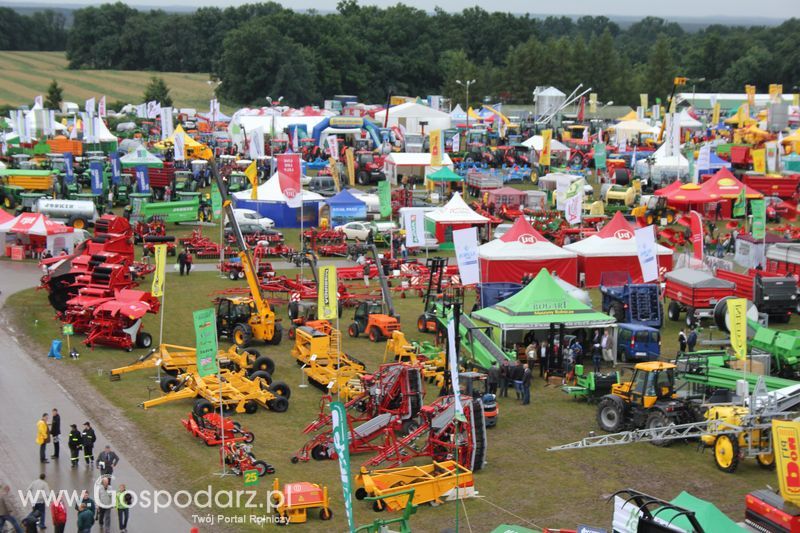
522, 250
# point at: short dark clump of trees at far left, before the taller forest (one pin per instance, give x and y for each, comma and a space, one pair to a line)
41, 30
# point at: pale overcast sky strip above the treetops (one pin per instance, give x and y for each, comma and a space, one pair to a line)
738, 9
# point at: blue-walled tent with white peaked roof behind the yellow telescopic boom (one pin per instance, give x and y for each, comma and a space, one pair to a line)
272, 203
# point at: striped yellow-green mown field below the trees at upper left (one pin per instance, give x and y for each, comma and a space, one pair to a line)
28, 74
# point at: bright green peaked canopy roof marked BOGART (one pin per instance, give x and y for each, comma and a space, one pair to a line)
541, 303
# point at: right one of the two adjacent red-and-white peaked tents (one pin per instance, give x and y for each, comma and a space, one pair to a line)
613, 248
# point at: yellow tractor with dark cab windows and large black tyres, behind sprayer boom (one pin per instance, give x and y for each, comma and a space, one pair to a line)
647, 401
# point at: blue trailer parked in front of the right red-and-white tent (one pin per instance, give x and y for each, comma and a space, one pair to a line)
638, 303
